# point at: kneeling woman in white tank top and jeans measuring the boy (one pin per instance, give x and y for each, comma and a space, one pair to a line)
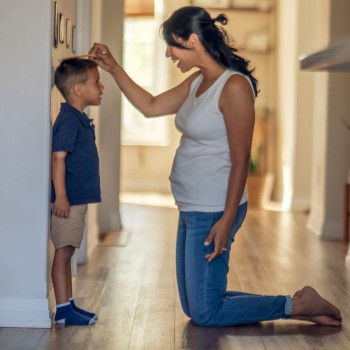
215, 113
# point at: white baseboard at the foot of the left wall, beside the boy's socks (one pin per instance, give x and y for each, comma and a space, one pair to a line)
25, 313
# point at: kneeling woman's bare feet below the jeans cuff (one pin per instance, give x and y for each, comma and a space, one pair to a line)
308, 305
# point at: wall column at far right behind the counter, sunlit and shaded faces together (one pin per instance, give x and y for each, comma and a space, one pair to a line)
331, 156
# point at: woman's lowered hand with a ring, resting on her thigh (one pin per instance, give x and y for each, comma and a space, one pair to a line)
219, 234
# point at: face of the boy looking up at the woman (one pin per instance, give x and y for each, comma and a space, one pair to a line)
92, 89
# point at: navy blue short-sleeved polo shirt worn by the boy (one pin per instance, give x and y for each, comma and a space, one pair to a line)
73, 132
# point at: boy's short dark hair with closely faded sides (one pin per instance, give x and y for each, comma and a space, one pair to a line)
72, 71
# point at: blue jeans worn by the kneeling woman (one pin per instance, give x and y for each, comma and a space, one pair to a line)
202, 284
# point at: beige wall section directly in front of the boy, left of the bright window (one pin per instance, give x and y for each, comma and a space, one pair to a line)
107, 27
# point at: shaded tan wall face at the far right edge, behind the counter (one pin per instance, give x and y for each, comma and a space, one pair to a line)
338, 135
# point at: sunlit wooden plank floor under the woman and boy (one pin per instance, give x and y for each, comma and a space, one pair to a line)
130, 282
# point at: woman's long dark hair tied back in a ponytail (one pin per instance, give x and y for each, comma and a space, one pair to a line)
192, 19
